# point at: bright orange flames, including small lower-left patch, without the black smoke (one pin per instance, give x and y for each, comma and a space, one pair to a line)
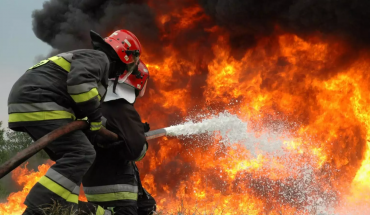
315, 87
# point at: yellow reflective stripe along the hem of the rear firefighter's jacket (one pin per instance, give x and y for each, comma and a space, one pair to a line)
39, 116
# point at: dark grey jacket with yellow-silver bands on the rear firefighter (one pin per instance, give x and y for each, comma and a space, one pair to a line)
65, 86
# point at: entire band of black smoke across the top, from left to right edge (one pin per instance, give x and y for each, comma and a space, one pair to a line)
65, 24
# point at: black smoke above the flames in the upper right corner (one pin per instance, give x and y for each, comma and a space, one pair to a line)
247, 20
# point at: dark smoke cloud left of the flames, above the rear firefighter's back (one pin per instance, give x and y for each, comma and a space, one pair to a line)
65, 24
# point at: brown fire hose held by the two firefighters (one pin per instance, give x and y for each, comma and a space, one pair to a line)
41, 143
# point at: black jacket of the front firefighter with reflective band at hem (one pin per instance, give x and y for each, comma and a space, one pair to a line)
113, 178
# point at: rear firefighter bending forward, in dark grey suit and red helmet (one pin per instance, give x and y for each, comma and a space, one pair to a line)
55, 92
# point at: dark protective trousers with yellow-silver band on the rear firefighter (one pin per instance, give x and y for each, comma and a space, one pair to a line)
73, 154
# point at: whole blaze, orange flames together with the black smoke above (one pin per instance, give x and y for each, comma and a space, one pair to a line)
298, 69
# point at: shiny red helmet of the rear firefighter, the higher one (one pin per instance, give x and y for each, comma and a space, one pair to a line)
126, 45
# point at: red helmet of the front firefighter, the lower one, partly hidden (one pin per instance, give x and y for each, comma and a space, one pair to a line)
137, 79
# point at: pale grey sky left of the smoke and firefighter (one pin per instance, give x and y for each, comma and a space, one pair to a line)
19, 47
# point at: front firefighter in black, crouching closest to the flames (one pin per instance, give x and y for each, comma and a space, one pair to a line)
113, 179
